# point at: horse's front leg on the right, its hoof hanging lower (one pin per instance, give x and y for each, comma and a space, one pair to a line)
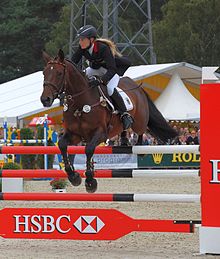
90, 182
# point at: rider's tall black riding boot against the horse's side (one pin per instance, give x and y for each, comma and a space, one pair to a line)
118, 102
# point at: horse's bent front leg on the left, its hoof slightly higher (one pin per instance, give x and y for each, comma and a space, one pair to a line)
73, 176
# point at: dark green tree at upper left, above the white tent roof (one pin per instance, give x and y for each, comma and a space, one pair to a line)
25, 27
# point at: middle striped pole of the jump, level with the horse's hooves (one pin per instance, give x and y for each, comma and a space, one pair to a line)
104, 173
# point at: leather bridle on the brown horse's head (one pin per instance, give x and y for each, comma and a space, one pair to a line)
59, 88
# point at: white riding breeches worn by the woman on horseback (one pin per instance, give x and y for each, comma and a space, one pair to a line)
100, 72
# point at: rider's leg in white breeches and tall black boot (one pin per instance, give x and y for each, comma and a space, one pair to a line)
118, 102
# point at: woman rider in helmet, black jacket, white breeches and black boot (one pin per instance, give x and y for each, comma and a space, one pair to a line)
103, 60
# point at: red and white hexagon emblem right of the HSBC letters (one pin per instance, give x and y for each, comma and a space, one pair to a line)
89, 224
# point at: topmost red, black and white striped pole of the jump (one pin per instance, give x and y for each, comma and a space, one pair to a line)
101, 150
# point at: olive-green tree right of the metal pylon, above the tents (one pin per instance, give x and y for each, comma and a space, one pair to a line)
189, 31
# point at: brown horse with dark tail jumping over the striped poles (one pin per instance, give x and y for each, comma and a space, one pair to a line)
85, 118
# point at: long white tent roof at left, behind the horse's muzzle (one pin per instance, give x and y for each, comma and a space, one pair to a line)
21, 97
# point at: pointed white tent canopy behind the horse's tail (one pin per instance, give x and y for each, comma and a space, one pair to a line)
177, 103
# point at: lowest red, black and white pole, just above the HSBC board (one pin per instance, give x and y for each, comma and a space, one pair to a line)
122, 197
